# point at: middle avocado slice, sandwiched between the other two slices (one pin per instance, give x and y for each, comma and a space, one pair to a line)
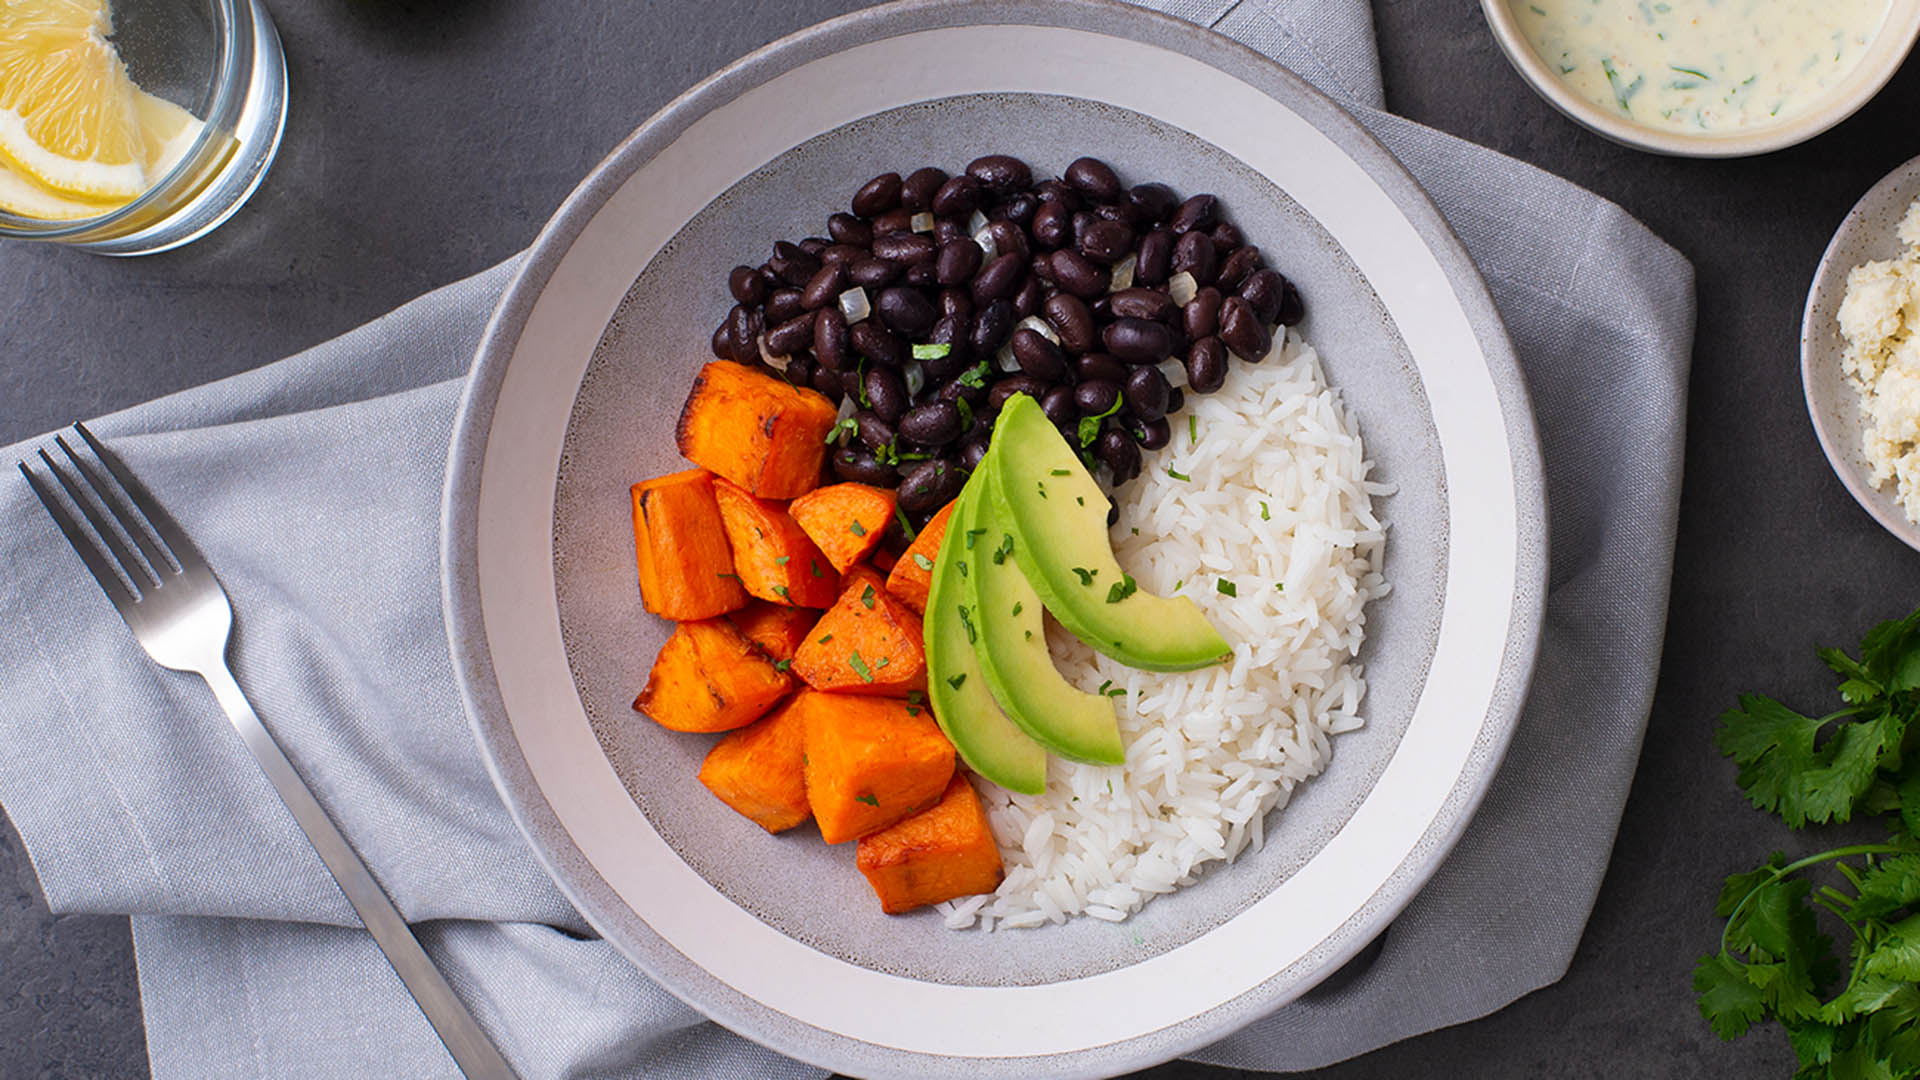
1013, 645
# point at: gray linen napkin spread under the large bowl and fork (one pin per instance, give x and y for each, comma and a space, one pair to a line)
314, 487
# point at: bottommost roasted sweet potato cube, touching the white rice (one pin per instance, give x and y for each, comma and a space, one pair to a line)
934, 856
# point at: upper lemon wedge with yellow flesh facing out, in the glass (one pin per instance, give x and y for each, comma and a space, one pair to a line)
68, 109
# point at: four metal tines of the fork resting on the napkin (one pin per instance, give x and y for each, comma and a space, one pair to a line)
118, 510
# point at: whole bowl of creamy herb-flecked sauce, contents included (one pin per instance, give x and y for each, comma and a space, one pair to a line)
1706, 78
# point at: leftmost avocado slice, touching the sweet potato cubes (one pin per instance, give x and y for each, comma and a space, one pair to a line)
957, 689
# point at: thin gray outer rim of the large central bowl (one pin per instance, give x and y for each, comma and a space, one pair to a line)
460, 508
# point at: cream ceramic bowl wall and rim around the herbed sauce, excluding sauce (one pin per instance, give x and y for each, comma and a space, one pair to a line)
1883, 59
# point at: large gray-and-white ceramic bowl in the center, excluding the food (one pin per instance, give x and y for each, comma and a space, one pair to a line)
575, 397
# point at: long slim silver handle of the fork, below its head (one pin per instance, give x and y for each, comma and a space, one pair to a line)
456, 1027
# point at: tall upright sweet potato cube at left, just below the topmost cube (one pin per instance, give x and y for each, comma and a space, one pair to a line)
686, 566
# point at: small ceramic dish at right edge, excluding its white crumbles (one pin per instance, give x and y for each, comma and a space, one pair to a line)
1840, 422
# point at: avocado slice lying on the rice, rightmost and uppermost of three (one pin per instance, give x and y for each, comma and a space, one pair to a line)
1057, 516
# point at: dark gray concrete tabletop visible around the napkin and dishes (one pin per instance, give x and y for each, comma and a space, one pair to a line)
431, 139
